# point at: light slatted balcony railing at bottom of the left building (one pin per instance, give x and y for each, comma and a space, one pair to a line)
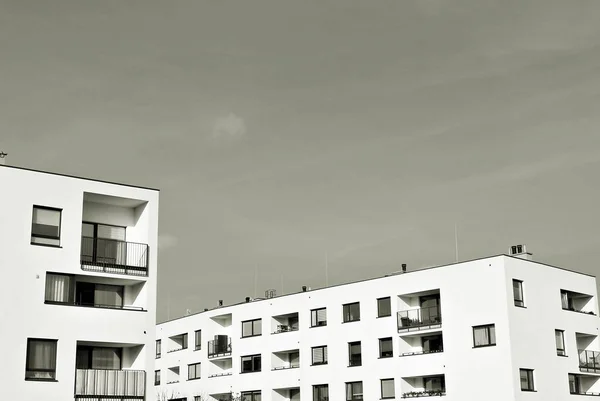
110, 383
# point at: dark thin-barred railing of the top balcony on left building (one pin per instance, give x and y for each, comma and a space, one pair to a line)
114, 256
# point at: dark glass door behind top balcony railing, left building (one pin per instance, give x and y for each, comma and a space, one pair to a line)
103, 243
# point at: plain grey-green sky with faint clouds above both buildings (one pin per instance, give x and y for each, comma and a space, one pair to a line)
281, 131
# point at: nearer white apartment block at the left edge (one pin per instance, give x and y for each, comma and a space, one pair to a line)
78, 309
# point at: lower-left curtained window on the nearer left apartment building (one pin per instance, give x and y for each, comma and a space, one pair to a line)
41, 359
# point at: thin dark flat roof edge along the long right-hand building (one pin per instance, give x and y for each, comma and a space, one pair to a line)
377, 278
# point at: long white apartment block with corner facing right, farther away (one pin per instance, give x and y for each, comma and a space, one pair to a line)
496, 329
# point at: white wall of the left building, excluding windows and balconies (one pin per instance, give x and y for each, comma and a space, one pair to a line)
23, 313
